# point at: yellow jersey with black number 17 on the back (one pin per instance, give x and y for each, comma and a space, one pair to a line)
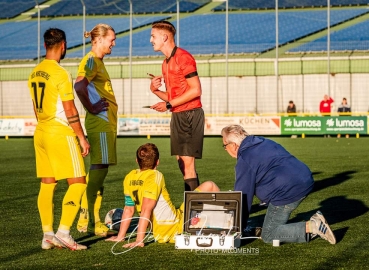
50, 84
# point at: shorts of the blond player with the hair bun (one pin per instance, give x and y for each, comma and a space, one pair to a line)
103, 147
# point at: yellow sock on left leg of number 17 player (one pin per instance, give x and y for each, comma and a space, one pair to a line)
46, 206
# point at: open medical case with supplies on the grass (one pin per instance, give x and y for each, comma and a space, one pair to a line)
212, 220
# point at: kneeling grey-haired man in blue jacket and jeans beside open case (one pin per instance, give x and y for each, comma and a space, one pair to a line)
268, 171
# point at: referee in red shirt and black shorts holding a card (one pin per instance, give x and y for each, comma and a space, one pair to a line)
182, 97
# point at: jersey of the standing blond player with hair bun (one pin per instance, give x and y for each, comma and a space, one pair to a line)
93, 69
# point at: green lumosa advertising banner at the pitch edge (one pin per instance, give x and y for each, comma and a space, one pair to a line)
324, 125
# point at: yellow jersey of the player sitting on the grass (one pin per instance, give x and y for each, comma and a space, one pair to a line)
167, 221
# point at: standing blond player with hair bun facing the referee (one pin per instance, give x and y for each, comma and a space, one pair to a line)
94, 89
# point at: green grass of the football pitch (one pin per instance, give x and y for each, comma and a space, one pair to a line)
340, 168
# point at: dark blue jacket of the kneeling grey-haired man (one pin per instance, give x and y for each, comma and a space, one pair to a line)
265, 169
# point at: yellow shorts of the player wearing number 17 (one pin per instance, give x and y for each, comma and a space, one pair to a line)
58, 156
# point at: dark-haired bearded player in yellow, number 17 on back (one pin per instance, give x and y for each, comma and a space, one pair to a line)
59, 155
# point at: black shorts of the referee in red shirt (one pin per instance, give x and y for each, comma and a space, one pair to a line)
187, 133
